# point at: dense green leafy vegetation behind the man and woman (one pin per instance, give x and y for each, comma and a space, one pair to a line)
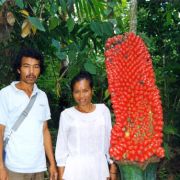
71, 34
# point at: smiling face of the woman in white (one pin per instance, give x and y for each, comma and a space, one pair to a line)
82, 92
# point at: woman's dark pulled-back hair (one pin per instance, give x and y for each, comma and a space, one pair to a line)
80, 76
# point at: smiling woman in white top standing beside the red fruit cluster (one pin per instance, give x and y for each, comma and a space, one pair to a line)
84, 135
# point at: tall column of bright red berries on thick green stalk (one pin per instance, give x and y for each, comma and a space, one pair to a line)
137, 133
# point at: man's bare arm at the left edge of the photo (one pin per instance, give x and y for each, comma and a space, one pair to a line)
3, 172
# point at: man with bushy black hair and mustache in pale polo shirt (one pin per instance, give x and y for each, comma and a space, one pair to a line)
26, 149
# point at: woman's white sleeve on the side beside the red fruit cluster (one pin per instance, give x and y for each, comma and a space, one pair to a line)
108, 125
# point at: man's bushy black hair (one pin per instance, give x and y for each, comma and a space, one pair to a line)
28, 52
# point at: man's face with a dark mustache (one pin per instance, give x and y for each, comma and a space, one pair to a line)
29, 70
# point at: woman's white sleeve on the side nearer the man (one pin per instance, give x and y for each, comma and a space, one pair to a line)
61, 151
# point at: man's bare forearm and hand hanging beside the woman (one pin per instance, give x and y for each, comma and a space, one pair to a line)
49, 152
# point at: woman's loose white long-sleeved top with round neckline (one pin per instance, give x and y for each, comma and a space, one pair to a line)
83, 143
